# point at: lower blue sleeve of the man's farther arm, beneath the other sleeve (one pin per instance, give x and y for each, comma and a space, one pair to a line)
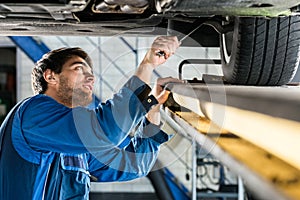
133, 161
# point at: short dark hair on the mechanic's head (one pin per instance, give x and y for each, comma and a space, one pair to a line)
54, 60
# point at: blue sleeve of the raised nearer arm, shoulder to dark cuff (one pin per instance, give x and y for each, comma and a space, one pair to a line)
49, 126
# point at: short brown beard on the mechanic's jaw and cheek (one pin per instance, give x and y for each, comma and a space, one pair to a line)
72, 96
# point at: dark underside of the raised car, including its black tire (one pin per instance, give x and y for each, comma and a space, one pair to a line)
259, 40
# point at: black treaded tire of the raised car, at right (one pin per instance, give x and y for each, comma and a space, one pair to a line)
261, 51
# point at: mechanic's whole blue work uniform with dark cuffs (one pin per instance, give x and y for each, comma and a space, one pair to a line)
50, 151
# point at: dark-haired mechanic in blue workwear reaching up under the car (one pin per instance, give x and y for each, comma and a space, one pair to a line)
53, 144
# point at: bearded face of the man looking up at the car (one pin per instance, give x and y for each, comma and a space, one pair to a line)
76, 82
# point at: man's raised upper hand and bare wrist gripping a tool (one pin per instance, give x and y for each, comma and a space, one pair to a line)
165, 44
